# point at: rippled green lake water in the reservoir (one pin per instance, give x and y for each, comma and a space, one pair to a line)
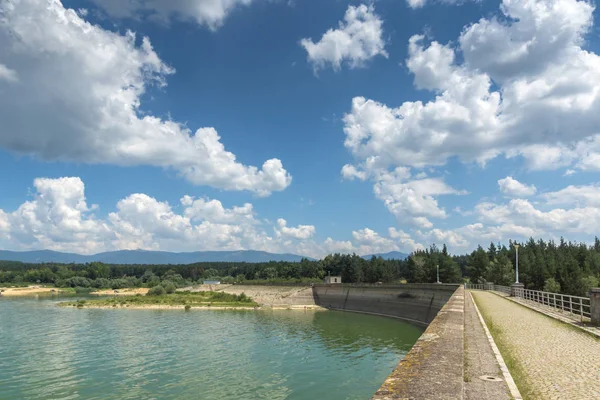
47, 352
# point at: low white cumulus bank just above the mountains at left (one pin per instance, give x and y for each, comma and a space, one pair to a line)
59, 218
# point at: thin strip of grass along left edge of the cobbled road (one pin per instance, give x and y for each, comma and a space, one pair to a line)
512, 363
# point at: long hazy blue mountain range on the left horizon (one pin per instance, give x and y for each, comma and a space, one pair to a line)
147, 257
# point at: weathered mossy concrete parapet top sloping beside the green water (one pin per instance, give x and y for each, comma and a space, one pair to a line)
434, 368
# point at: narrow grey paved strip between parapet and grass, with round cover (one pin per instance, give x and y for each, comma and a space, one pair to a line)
480, 361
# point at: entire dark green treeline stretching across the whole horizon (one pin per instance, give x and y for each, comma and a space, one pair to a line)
566, 267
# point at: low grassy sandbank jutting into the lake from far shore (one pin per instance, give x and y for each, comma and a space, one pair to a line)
186, 299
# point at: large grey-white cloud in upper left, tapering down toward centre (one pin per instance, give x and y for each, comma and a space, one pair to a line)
79, 99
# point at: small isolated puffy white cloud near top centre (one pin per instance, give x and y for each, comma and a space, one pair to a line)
356, 40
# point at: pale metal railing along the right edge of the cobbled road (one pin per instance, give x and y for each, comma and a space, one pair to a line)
577, 306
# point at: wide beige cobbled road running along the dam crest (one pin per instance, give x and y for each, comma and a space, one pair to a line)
555, 361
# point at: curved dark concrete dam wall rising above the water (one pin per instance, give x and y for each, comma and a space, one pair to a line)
413, 302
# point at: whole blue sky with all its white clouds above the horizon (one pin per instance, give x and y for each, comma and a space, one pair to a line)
388, 125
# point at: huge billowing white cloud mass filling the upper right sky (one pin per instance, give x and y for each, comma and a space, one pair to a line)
542, 106
